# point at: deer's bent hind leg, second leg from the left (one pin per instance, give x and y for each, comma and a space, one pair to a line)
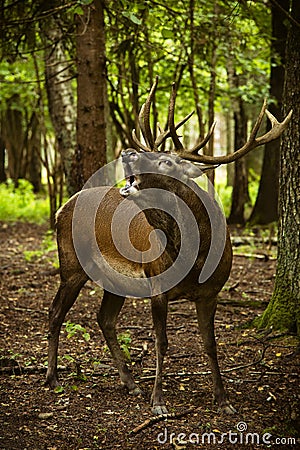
111, 306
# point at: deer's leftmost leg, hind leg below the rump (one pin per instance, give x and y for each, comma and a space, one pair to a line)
63, 301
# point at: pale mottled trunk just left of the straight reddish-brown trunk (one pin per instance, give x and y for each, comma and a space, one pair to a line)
59, 92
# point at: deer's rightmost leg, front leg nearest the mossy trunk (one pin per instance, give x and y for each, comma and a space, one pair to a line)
205, 314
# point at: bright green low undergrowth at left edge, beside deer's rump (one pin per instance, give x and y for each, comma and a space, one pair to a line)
22, 204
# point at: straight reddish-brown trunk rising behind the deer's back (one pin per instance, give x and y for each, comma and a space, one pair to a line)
90, 152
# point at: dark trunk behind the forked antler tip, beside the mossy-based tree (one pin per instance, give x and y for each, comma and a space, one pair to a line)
266, 206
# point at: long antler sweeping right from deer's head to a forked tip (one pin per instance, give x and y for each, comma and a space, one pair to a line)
253, 142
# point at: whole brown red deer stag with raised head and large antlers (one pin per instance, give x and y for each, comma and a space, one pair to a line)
149, 174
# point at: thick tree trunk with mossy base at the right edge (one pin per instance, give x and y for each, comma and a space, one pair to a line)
283, 311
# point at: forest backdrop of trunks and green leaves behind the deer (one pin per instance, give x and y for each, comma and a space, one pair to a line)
94, 62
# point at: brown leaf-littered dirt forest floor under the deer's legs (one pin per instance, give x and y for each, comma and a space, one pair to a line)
260, 370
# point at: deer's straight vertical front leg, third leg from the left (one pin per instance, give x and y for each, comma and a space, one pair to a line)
159, 307
